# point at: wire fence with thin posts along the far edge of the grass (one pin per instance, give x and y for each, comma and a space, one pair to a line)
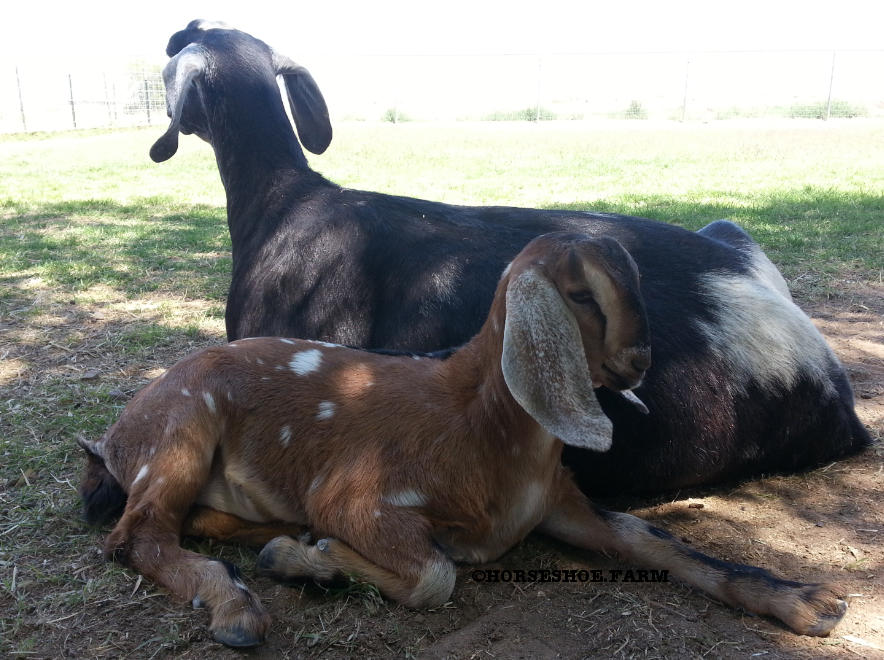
671, 86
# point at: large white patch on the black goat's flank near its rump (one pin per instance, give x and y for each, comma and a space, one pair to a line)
764, 336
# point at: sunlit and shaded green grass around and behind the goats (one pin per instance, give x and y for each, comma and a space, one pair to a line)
113, 267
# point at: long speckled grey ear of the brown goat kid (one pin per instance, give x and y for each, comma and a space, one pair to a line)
544, 364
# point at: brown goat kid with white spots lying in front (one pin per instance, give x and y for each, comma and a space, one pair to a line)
402, 466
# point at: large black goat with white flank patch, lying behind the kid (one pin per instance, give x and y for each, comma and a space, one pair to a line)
741, 380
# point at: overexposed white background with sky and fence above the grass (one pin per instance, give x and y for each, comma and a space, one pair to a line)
93, 64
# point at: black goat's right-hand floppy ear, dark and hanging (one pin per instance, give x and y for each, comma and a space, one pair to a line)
308, 106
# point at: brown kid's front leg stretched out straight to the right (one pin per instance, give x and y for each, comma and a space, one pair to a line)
808, 609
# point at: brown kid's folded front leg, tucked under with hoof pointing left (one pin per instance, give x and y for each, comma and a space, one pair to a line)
424, 579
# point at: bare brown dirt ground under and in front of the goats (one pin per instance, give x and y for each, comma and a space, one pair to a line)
826, 525
